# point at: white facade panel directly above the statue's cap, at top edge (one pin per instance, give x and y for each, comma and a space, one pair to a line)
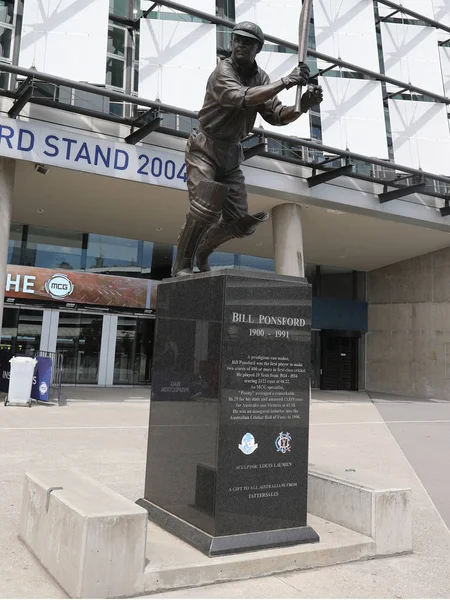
276, 17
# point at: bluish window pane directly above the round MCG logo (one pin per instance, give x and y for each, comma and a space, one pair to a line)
53, 248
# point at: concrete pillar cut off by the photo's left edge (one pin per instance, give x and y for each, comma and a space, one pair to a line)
7, 169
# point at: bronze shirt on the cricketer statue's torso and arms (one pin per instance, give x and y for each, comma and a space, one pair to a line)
224, 115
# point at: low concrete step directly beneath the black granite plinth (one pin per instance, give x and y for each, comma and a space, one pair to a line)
173, 564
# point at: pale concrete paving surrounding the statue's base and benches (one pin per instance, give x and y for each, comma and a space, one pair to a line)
105, 437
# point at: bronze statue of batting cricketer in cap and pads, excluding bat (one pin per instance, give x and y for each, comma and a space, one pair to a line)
236, 91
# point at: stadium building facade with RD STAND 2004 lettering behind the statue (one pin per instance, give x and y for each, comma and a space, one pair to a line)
97, 99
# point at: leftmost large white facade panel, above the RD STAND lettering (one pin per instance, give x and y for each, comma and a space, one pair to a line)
67, 38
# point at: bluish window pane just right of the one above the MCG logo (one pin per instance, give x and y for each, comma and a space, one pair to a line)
112, 254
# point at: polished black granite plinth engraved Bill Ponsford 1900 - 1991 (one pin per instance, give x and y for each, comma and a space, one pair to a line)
227, 461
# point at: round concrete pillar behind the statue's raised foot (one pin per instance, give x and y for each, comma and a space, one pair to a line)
288, 240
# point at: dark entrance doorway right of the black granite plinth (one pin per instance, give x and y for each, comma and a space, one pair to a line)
339, 360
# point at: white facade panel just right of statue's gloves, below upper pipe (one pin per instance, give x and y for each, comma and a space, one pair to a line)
353, 116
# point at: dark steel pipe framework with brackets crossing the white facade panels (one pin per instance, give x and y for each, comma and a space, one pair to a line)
140, 129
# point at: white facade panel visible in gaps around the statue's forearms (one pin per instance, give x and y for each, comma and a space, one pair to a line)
277, 65
